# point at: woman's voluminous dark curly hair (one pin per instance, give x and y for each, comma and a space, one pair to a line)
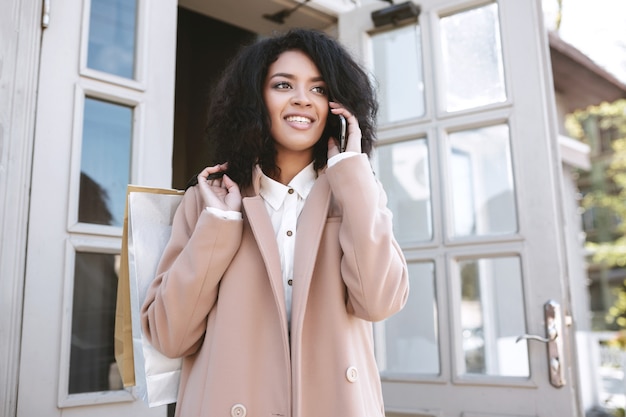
238, 121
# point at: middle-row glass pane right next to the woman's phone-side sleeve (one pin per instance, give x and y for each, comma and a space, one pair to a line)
403, 169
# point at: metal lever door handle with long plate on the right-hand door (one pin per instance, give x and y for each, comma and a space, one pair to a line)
554, 328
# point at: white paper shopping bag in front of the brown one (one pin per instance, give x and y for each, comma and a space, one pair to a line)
150, 215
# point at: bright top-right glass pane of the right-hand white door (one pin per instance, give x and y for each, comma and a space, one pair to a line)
472, 58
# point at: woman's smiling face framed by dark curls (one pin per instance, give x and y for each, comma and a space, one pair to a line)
297, 102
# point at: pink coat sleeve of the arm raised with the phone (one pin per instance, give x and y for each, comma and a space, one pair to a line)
373, 267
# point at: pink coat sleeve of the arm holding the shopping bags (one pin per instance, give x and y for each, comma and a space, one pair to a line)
202, 245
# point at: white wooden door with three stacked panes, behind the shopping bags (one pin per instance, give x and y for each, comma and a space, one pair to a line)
104, 119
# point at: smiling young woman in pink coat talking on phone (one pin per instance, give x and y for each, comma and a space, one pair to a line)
276, 270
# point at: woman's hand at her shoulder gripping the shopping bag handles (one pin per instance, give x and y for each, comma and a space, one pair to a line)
221, 193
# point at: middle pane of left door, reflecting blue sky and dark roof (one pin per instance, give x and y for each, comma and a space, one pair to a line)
105, 162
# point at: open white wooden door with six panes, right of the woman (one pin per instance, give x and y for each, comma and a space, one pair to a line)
467, 153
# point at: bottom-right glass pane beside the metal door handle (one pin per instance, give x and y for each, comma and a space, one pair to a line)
492, 317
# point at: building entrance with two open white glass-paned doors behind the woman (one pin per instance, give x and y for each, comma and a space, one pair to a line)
113, 92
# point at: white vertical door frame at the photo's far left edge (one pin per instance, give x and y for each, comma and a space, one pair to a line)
19, 57
